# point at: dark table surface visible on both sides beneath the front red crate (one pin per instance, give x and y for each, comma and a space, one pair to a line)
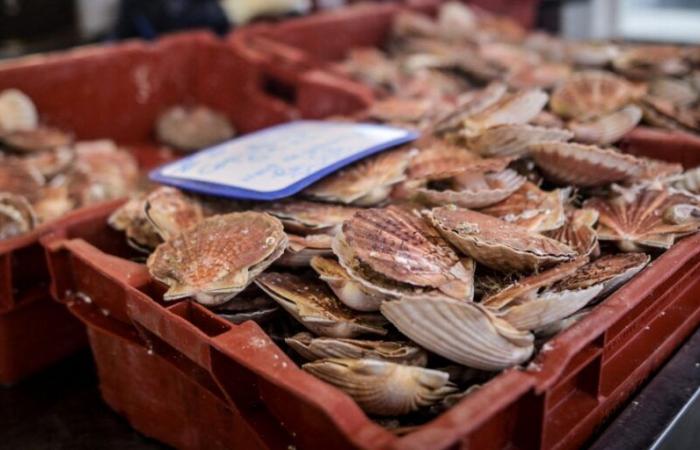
61, 409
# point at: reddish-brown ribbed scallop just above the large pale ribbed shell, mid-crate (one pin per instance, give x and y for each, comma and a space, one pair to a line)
400, 246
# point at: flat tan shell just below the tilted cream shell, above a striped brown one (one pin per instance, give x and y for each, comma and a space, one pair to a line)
513, 140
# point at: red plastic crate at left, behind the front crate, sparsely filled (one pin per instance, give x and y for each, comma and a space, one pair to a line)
117, 92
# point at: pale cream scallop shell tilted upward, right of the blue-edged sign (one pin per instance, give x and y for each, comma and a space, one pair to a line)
517, 108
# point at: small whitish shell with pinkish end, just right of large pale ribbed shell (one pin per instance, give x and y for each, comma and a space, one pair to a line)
549, 307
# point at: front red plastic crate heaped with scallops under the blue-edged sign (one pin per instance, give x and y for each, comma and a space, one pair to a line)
569, 390
